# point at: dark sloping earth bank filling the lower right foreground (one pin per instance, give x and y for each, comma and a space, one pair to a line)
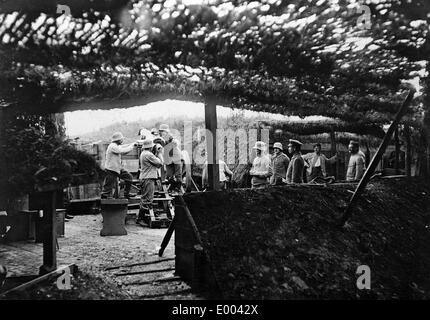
282, 243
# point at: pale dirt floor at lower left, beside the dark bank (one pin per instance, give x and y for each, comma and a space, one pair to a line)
93, 254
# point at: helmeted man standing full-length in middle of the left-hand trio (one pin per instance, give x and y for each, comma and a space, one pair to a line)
149, 165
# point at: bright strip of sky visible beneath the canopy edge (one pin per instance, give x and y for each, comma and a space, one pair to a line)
85, 121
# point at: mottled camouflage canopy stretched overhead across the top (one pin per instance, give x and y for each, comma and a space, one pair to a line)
291, 58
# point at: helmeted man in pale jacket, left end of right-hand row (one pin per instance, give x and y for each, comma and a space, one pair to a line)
261, 169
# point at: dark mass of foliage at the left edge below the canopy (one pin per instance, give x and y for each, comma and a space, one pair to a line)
37, 155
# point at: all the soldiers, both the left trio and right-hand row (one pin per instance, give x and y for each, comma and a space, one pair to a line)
161, 158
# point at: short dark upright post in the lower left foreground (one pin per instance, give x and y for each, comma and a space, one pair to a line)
49, 233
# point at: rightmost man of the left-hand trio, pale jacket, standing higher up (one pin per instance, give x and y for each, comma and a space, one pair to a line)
172, 157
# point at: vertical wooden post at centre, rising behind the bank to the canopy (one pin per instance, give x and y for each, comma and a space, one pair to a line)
212, 143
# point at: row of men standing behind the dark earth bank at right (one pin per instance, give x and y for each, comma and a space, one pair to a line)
280, 169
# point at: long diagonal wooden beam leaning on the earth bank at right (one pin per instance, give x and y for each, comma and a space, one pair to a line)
369, 172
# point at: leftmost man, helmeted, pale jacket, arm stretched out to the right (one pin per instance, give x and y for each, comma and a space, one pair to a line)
114, 168
